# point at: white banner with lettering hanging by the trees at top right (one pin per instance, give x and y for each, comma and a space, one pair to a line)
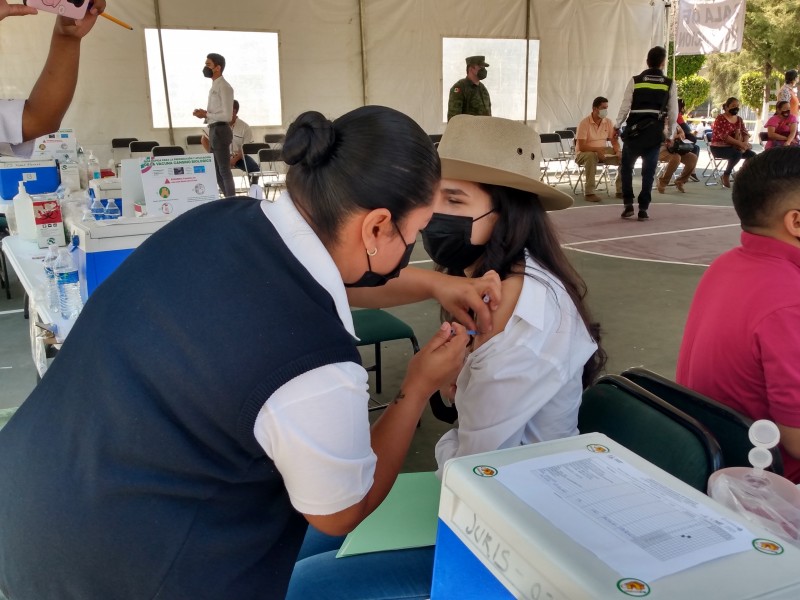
709, 27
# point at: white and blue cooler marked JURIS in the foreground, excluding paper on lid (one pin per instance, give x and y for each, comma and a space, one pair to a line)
491, 544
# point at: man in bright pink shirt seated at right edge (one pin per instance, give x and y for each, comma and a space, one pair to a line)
742, 335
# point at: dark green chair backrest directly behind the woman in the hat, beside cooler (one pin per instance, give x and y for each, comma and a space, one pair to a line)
652, 428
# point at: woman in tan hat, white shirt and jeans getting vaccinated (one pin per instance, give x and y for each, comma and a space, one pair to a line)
522, 382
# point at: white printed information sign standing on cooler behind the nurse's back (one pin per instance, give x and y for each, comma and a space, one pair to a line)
174, 184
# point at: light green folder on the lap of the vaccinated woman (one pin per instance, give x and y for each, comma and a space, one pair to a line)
406, 519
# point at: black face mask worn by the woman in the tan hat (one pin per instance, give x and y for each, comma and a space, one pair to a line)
447, 241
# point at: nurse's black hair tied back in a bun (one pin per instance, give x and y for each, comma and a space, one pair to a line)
372, 157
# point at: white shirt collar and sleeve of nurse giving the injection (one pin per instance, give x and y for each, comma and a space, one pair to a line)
316, 426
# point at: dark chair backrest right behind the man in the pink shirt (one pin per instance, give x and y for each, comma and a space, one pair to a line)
727, 425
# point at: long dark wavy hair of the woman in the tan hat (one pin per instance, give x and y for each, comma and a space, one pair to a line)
522, 224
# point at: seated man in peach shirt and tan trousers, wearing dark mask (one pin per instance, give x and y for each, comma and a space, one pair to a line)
594, 134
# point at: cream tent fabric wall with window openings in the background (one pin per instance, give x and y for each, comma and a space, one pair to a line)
588, 48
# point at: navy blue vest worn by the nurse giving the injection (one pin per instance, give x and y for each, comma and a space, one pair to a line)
132, 471
